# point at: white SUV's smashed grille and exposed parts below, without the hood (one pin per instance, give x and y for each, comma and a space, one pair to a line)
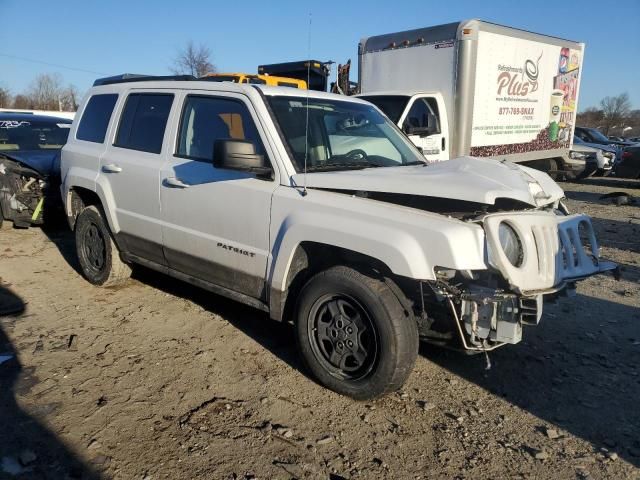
530, 254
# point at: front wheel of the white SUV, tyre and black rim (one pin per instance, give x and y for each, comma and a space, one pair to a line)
354, 334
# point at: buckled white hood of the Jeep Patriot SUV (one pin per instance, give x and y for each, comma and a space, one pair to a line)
470, 179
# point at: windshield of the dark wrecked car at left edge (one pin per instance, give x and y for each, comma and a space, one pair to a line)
32, 135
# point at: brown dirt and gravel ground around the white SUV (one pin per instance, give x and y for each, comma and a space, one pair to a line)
158, 379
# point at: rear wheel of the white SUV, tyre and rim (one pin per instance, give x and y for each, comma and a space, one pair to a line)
97, 252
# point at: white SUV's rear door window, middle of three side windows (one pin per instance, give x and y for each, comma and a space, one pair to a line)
143, 121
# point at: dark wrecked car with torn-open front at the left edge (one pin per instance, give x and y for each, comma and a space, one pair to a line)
30, 166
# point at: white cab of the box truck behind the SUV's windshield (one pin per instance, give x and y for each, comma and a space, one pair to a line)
422, 116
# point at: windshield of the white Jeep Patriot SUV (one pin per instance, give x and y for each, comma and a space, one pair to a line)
341, 135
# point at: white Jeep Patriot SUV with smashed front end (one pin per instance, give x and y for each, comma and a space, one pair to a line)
317, 209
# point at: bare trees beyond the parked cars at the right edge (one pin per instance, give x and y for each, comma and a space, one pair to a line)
613, 116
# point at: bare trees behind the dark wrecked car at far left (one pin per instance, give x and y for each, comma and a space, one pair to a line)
46, 92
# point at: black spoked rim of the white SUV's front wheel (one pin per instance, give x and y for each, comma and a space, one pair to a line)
343, 336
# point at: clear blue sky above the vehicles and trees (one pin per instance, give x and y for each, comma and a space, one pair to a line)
142, 37
